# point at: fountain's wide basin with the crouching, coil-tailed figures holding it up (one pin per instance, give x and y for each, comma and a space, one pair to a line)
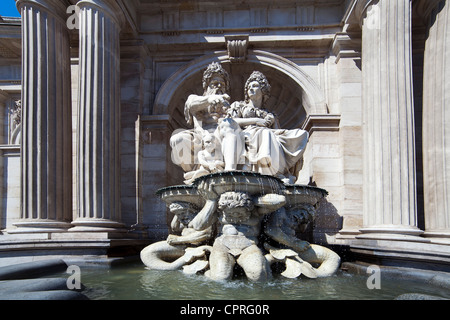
242, 206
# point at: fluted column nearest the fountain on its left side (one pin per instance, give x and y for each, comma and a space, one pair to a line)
98, 130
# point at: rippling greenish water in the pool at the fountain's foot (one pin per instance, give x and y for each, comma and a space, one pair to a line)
135, 282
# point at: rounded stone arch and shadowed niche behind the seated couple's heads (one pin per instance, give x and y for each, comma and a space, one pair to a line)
294, 95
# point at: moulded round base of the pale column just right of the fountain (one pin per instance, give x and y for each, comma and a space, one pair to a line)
394, 232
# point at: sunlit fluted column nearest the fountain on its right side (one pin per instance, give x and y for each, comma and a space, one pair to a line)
389, 196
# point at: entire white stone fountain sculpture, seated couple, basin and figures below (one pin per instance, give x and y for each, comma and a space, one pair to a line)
239, 206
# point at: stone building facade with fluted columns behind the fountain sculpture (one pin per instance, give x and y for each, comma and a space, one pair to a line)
91, 91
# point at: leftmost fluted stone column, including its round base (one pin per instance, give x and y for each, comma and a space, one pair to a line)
46, 151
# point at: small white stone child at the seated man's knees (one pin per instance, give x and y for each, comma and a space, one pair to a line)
210, 159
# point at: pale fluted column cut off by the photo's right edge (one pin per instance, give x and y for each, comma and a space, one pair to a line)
436, 124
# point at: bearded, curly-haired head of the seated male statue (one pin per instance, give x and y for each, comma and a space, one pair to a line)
216, 79
